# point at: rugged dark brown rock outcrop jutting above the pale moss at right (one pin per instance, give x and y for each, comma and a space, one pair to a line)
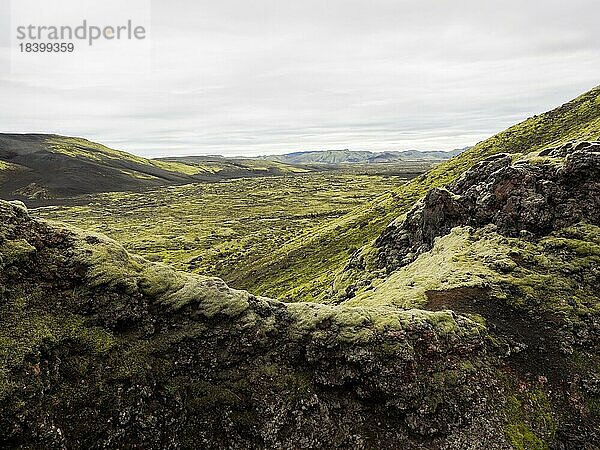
528, 198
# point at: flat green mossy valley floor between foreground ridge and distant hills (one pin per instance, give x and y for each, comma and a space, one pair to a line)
220, 228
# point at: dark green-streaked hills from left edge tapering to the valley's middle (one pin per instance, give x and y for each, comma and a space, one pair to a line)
38, 168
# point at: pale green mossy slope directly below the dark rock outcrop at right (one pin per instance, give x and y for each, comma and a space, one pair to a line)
558, 270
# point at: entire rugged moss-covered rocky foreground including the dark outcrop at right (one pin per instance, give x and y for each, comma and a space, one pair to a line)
103, 349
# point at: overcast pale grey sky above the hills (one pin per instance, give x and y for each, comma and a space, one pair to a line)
238, 77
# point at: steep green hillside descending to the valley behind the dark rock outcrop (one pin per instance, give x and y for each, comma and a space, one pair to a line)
304, 268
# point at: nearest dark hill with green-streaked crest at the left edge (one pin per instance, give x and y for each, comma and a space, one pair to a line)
47, 166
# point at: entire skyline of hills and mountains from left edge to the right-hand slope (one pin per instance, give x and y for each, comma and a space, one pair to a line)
39, 167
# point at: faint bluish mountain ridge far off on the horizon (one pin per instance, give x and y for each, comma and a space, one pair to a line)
361, 156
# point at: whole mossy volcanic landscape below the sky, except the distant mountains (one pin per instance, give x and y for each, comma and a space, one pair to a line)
361, 308
